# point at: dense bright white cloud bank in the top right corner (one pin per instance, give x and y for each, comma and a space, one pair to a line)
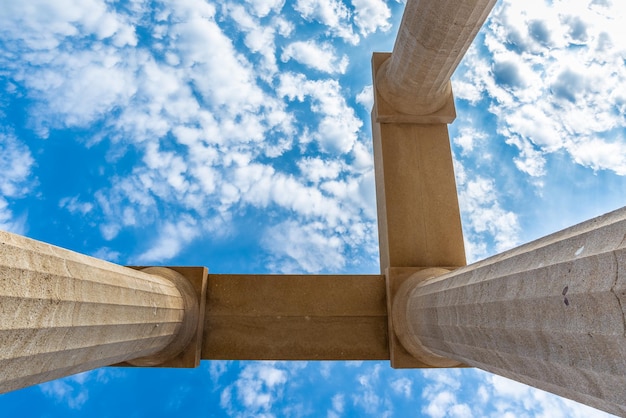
551, 69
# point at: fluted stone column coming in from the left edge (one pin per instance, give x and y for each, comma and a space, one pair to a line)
62, 313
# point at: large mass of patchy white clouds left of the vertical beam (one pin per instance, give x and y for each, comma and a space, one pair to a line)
198, 126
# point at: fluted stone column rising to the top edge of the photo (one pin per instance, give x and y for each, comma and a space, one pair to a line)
433, 38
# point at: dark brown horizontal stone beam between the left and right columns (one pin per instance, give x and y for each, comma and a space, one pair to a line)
294, 317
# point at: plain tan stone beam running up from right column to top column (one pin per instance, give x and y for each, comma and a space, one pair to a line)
419, 224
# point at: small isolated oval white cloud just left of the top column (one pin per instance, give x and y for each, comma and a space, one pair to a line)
321, 57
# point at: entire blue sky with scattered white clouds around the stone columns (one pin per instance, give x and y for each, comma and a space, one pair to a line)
236, 135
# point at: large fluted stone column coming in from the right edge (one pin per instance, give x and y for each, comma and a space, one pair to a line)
550, 314
